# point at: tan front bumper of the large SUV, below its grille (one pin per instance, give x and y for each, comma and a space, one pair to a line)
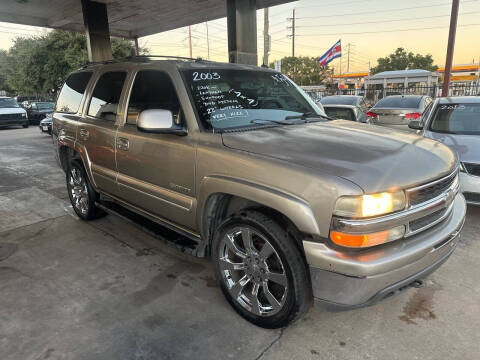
360, 278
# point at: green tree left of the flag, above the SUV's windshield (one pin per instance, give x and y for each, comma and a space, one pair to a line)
305, 70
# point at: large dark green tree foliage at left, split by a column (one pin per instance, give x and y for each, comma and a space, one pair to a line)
40, 64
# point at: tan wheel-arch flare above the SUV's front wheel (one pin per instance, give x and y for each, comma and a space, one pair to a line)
294, 208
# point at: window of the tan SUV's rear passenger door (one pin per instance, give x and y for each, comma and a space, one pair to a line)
106, 95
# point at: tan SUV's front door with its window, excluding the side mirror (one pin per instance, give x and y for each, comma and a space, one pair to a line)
156, 171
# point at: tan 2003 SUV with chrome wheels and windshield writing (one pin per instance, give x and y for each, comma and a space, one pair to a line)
288, 206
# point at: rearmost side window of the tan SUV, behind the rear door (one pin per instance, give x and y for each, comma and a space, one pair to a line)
72, 92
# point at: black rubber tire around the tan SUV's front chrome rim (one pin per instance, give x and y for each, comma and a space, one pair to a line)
276, 236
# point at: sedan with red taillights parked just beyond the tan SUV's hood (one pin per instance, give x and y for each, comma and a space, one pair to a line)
398, 110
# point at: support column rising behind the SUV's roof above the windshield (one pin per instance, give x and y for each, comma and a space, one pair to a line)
242, 31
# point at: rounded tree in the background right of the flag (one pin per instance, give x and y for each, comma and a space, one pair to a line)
402, 60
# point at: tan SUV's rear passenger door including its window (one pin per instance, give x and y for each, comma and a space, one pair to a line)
97, 131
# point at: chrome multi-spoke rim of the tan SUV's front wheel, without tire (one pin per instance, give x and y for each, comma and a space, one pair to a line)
253, 271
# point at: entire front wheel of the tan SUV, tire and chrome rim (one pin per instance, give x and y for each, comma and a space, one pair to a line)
270, 266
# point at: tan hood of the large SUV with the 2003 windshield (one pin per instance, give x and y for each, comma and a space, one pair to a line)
375, 158
